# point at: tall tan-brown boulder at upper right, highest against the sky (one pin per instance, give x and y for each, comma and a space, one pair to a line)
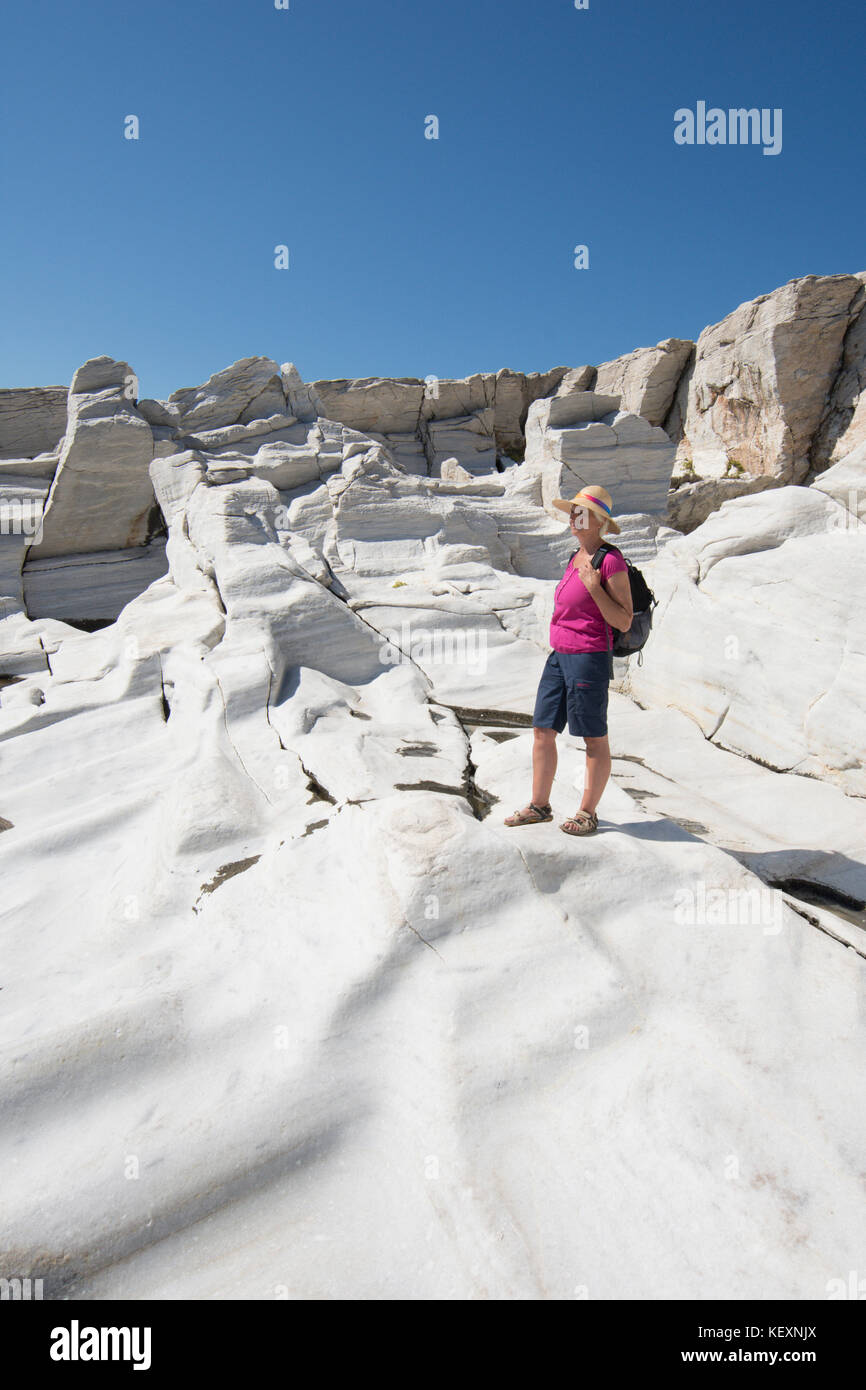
761, 379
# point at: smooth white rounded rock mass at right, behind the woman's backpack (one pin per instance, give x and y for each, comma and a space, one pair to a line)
754, 644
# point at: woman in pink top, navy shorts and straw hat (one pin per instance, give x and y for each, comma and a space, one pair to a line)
575, 682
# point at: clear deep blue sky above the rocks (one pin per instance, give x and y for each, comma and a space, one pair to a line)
409, 256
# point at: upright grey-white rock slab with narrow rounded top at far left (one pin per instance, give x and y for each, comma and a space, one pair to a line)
101, 496
